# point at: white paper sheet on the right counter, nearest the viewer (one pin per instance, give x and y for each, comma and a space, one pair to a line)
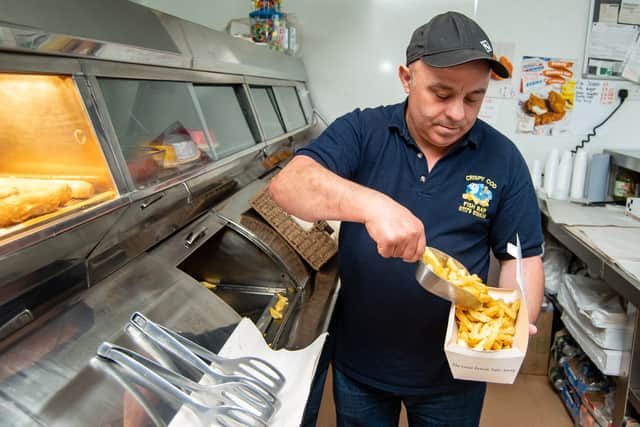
616, 243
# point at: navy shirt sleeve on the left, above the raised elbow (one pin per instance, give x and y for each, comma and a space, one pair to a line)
339, 147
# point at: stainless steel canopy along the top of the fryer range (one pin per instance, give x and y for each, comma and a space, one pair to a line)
122, 31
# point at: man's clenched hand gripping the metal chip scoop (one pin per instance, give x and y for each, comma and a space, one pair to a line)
397, 232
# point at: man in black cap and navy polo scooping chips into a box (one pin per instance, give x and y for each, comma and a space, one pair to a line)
398, 177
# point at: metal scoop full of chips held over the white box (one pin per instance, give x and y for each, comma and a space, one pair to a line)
435, 284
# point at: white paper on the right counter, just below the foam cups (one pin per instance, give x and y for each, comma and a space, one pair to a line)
564, 212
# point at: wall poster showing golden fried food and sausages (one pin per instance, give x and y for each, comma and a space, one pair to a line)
547, 90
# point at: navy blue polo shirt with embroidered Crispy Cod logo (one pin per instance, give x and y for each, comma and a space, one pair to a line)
389, 332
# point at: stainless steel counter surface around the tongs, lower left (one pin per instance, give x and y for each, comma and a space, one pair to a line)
49, 376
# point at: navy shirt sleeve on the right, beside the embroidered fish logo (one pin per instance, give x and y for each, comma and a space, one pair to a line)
518, 213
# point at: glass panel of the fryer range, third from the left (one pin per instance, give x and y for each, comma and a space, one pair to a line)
226, 120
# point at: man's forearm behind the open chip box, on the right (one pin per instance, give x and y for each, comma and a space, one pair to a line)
533, 277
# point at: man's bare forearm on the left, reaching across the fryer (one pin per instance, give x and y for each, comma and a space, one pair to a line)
309, 191
